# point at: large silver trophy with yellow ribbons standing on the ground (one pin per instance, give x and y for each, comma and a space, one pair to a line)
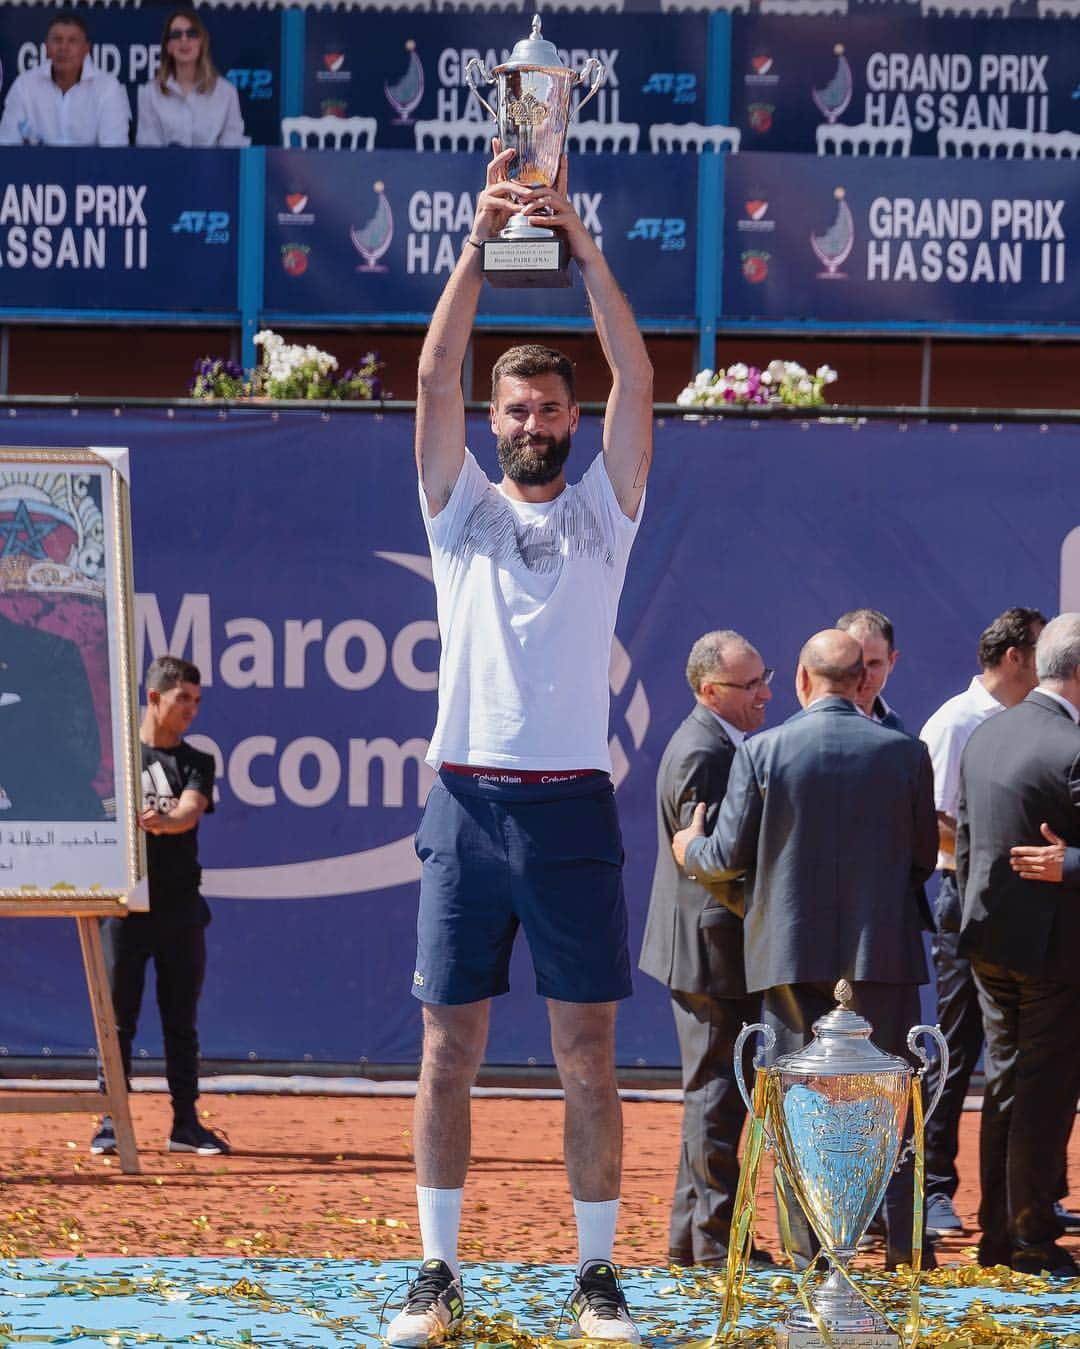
837, 1118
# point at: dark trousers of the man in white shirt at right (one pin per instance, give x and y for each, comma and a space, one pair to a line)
962, 1025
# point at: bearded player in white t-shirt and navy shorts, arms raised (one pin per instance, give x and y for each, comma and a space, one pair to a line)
521, 828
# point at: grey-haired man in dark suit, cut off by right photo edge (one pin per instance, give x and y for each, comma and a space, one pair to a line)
1020, 784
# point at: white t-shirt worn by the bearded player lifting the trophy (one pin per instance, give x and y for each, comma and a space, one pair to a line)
528, 596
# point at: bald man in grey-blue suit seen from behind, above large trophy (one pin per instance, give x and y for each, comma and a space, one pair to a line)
831, 817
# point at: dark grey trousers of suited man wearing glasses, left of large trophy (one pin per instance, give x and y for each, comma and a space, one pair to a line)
713, 1122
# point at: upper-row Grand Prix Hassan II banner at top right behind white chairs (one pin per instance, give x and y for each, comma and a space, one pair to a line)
791, 76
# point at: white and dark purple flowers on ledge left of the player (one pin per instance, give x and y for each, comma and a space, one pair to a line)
288, 370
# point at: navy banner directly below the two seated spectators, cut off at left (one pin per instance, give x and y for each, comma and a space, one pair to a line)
118, 230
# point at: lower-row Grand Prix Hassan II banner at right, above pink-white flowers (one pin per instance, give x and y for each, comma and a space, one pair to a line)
901, 239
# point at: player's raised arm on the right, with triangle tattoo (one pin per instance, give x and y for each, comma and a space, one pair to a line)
629, 419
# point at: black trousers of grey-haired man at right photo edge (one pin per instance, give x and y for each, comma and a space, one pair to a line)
1029, 1106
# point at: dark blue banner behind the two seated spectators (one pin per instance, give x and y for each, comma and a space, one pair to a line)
246, 48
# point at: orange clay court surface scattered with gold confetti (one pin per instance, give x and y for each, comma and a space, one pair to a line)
331, 1177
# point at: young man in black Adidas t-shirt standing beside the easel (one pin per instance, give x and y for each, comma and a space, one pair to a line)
177, 793
